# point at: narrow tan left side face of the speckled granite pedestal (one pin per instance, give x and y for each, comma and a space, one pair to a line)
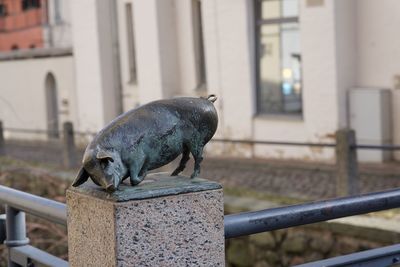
91, 234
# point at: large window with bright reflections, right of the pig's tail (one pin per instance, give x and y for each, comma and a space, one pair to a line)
278, 57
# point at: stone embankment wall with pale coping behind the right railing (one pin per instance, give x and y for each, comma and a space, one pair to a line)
307, 243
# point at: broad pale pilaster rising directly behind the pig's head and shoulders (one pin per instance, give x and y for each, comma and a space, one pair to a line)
96, 63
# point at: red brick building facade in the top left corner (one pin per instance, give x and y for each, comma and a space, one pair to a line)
22, 28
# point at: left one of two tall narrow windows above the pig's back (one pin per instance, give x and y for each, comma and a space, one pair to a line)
131, 43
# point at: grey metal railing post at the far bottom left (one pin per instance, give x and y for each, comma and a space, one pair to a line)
15, 231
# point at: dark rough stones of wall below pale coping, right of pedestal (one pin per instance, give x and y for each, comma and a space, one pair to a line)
292, 246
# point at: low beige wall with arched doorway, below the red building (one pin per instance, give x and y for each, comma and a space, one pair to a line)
23, 93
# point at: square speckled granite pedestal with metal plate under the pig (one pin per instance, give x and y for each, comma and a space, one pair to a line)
164, 221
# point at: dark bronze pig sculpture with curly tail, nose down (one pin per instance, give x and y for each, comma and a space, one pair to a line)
147, 138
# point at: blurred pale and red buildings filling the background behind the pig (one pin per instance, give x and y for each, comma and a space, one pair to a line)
283, 70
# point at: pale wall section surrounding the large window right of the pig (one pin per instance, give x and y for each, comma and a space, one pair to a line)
231, 68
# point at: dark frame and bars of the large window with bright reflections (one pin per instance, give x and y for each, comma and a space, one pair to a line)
258, 23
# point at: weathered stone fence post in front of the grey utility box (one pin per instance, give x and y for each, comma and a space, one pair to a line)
347, 181
